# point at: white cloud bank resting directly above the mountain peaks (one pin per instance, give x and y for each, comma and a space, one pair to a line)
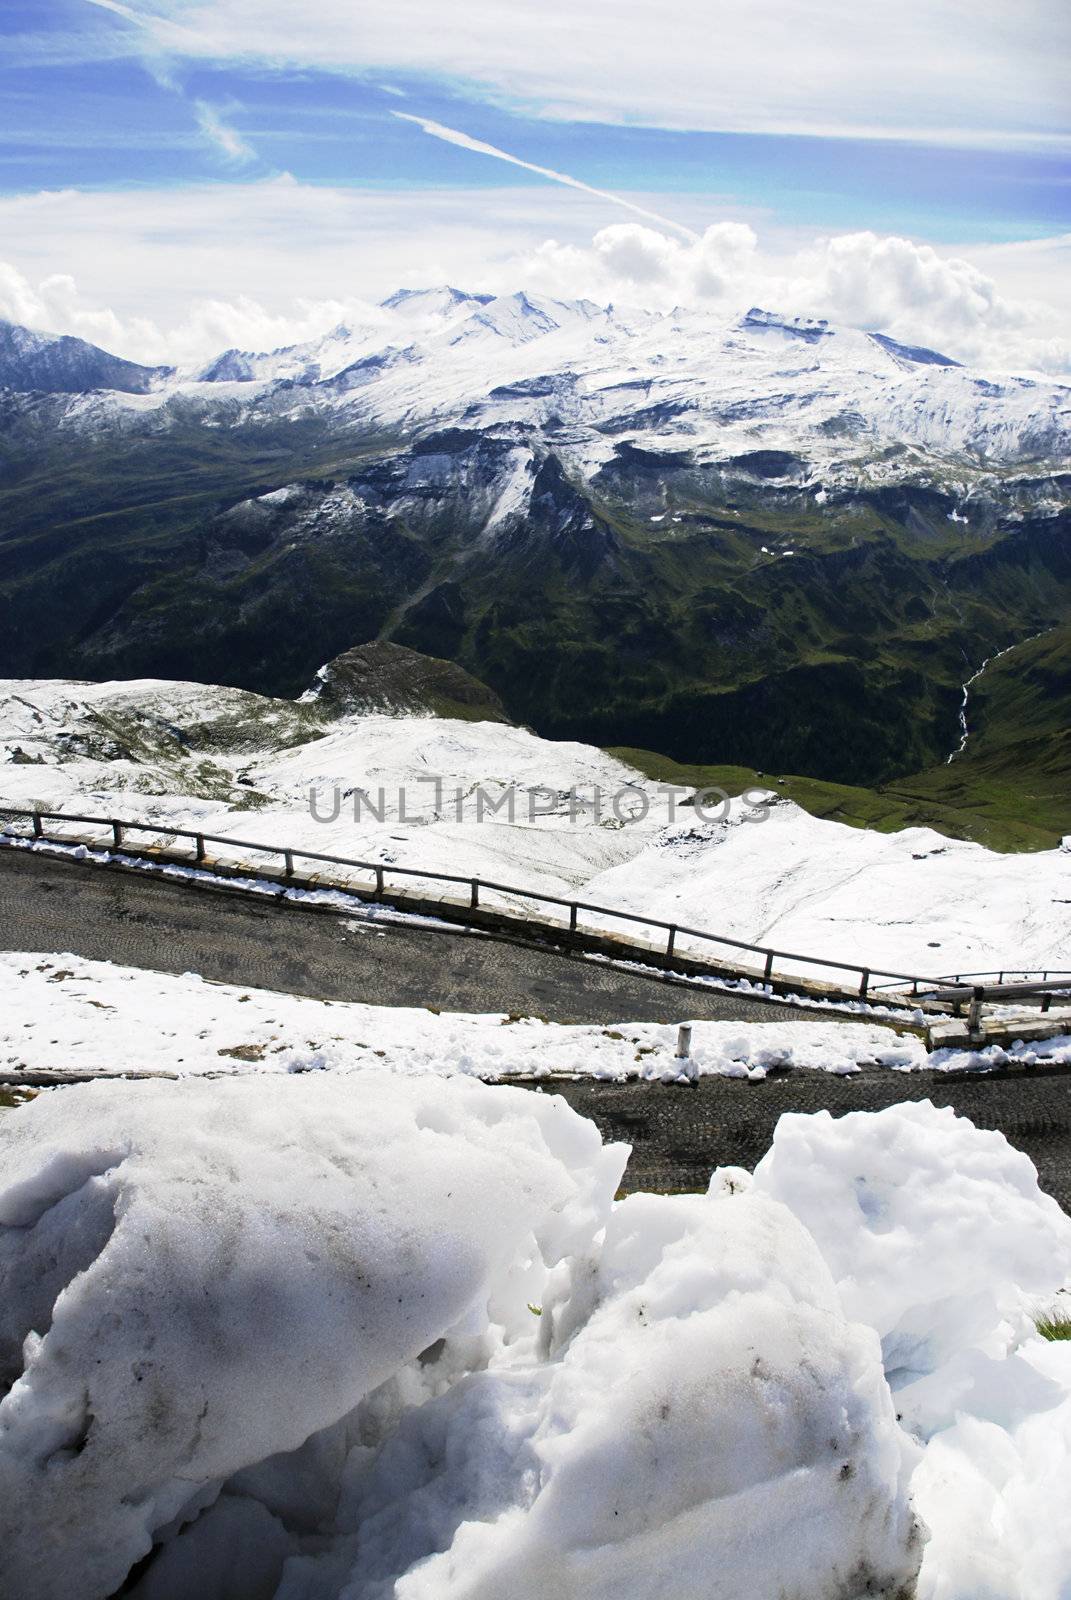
182, 274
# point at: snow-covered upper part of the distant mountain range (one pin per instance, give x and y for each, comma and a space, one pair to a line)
592, 380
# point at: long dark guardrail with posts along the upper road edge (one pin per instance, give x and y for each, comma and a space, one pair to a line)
772, 961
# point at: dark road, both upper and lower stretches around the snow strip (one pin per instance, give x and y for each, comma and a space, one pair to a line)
678, 1134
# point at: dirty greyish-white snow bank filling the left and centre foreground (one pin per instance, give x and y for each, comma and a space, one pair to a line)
387, 1338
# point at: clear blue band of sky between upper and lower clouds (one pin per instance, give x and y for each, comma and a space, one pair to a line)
114, 124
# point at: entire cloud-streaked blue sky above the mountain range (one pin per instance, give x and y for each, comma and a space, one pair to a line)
154, 153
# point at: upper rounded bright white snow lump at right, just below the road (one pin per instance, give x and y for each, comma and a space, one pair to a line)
896, 1202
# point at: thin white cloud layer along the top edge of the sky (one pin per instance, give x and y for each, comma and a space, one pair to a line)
945, 71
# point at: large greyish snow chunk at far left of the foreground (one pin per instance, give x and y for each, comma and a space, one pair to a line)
199, 1276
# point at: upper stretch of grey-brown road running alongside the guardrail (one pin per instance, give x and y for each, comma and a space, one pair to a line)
138, 921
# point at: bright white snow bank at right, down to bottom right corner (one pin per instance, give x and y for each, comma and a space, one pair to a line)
941, 1239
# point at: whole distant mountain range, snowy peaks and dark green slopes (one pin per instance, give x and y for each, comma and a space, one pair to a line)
712, 543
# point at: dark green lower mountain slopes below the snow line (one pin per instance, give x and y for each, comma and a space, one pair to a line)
699, 636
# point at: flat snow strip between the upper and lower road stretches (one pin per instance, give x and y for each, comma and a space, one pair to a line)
65, 1014
